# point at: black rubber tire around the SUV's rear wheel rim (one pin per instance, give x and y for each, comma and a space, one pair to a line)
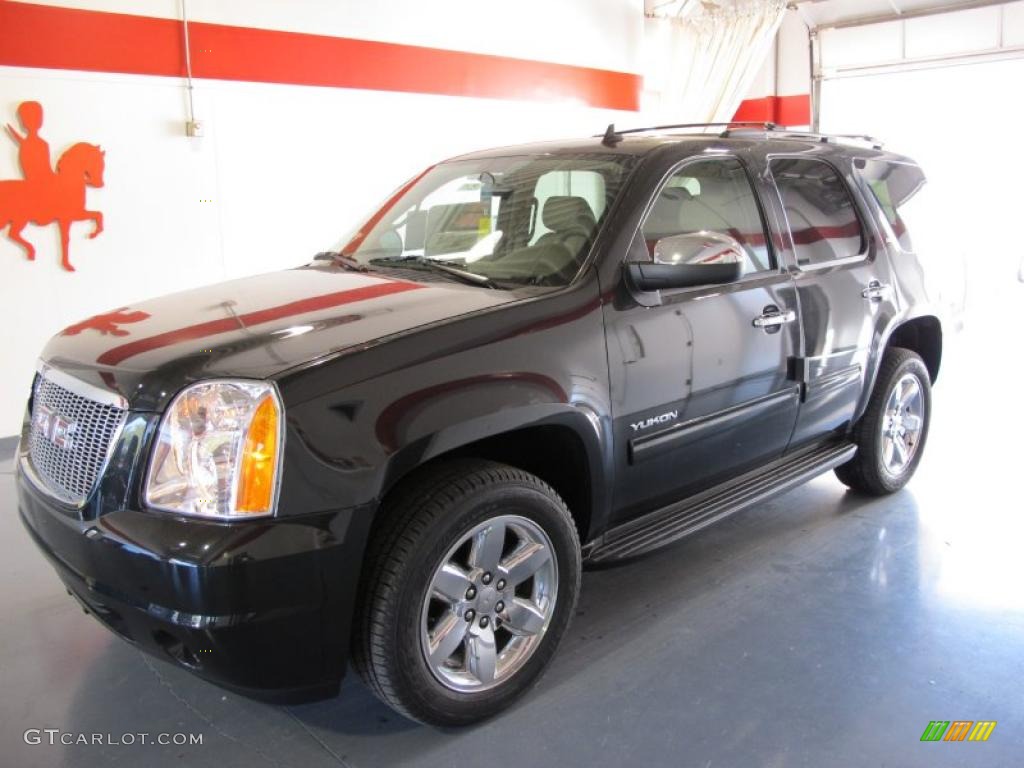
867, 473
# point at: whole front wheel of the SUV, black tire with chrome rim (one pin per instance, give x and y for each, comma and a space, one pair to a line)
471, 583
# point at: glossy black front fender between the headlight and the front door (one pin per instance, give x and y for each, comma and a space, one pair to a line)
354, 450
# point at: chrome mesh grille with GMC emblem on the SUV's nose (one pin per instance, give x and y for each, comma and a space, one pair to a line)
70, 437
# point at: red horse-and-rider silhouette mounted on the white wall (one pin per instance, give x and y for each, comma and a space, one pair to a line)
44, 197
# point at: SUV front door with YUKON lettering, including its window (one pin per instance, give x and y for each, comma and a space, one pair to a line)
700, 380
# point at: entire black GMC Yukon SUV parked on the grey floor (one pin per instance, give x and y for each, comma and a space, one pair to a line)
528, 360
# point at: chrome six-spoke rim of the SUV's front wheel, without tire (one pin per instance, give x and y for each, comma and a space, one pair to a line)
490, 603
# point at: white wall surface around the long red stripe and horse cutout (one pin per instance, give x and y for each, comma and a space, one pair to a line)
283, 172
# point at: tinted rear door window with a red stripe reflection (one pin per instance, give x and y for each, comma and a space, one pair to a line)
823, 219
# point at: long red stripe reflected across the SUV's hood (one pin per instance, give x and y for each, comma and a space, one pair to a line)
120, 354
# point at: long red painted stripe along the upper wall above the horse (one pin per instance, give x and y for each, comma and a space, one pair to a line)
71, 39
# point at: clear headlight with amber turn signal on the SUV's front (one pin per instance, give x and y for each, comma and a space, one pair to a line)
219, 450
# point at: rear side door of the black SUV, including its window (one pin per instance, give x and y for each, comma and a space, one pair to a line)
845, 289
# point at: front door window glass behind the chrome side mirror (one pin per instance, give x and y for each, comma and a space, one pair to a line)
714, 196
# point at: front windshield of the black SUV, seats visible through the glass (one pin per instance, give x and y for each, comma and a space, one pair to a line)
526, 221
